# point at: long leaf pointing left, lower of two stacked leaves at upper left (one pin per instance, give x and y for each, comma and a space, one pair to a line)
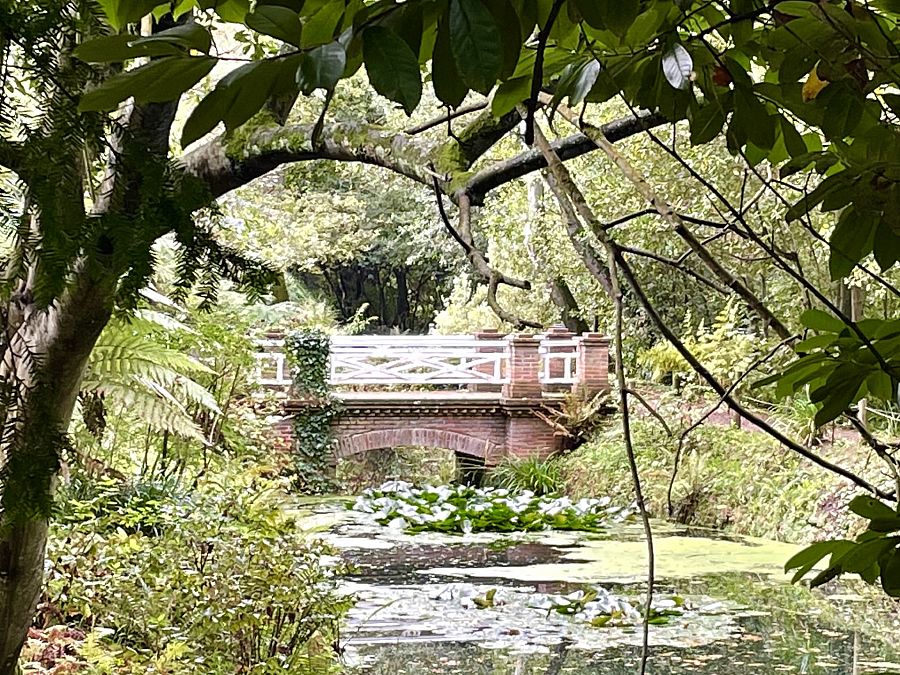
155, 82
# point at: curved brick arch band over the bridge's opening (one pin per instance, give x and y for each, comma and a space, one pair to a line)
464, 444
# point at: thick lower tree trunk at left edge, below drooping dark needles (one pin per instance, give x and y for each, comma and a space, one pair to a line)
63, 337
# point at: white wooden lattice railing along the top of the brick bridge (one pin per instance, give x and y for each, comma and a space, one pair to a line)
421, 359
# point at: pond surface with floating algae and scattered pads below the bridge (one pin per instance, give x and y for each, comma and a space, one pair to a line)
419, 595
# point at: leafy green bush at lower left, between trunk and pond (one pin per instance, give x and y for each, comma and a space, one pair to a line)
218, 579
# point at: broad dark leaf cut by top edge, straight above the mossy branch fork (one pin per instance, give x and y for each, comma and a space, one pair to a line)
475, 44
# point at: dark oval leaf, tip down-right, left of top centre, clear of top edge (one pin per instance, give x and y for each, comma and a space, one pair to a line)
392, 66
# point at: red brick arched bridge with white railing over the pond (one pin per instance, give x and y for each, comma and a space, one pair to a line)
476, 395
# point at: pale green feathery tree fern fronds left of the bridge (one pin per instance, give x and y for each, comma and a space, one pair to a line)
131, 367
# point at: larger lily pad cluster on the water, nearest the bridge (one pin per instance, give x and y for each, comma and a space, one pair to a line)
464, 509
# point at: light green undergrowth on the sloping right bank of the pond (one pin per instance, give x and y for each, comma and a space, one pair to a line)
729, 478
